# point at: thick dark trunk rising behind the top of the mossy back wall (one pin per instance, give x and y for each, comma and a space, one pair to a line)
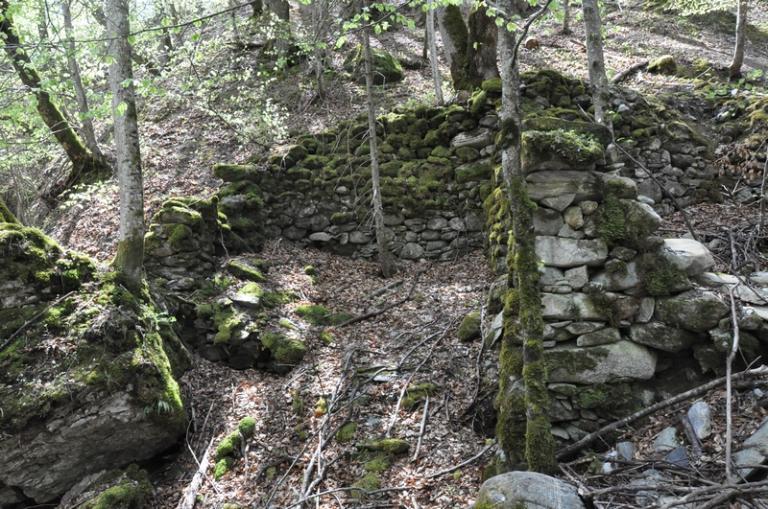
481, 48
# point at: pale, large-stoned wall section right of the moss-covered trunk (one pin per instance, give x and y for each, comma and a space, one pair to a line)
630, 317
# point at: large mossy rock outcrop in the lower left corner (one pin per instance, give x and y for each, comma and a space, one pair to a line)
87, 382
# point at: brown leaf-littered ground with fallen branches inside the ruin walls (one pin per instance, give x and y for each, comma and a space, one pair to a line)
359, 367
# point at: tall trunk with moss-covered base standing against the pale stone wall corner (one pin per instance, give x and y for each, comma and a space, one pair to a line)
523, 397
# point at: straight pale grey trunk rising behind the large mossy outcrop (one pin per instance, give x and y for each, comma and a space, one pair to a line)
129, 259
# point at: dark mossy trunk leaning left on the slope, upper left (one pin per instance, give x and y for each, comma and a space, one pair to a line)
85, 165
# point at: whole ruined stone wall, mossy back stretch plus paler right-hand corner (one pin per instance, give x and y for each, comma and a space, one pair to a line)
630, 317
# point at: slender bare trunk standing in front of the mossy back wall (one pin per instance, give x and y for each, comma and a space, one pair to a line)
385, 257
